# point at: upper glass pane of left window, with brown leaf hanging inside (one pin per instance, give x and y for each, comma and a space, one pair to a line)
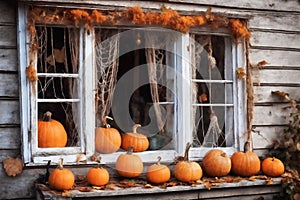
58, 49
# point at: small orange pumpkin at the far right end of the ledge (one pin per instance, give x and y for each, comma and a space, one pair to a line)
272, 167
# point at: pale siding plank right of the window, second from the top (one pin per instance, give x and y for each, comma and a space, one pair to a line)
276, 21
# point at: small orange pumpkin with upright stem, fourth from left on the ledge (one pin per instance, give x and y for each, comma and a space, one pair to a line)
158, 173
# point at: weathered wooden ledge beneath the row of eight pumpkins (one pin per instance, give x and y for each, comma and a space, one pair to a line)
255, 188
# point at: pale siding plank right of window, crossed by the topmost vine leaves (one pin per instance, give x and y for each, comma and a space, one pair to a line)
263, 94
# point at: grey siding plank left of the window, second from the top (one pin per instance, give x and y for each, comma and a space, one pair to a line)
8, 36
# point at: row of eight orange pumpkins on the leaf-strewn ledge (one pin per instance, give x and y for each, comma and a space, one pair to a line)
217, 168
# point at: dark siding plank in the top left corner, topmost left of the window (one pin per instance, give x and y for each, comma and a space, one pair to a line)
7, 10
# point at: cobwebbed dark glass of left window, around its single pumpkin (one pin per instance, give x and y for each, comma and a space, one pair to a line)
58, 53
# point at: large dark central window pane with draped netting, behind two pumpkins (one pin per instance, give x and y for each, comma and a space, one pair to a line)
126, 63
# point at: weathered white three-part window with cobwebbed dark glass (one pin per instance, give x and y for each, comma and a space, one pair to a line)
180, 87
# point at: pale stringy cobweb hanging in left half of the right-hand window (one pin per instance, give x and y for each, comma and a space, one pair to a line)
206, 130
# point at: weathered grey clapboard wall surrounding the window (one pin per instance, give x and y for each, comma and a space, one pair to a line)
275, 38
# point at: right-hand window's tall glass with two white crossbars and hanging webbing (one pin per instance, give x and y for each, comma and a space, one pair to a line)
213, 89
